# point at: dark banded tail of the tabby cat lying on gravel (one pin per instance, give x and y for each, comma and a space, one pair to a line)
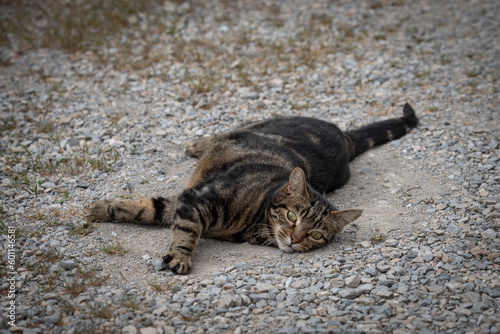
371, 135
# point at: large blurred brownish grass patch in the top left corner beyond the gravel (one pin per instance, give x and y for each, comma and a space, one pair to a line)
70, 25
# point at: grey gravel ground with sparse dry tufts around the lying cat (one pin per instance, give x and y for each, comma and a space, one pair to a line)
114, 121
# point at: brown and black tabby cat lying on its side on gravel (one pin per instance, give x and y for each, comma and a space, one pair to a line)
263, 184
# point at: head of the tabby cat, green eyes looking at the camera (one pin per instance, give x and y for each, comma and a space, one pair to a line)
300, 222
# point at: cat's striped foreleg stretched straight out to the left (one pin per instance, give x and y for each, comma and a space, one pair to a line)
149, 211
